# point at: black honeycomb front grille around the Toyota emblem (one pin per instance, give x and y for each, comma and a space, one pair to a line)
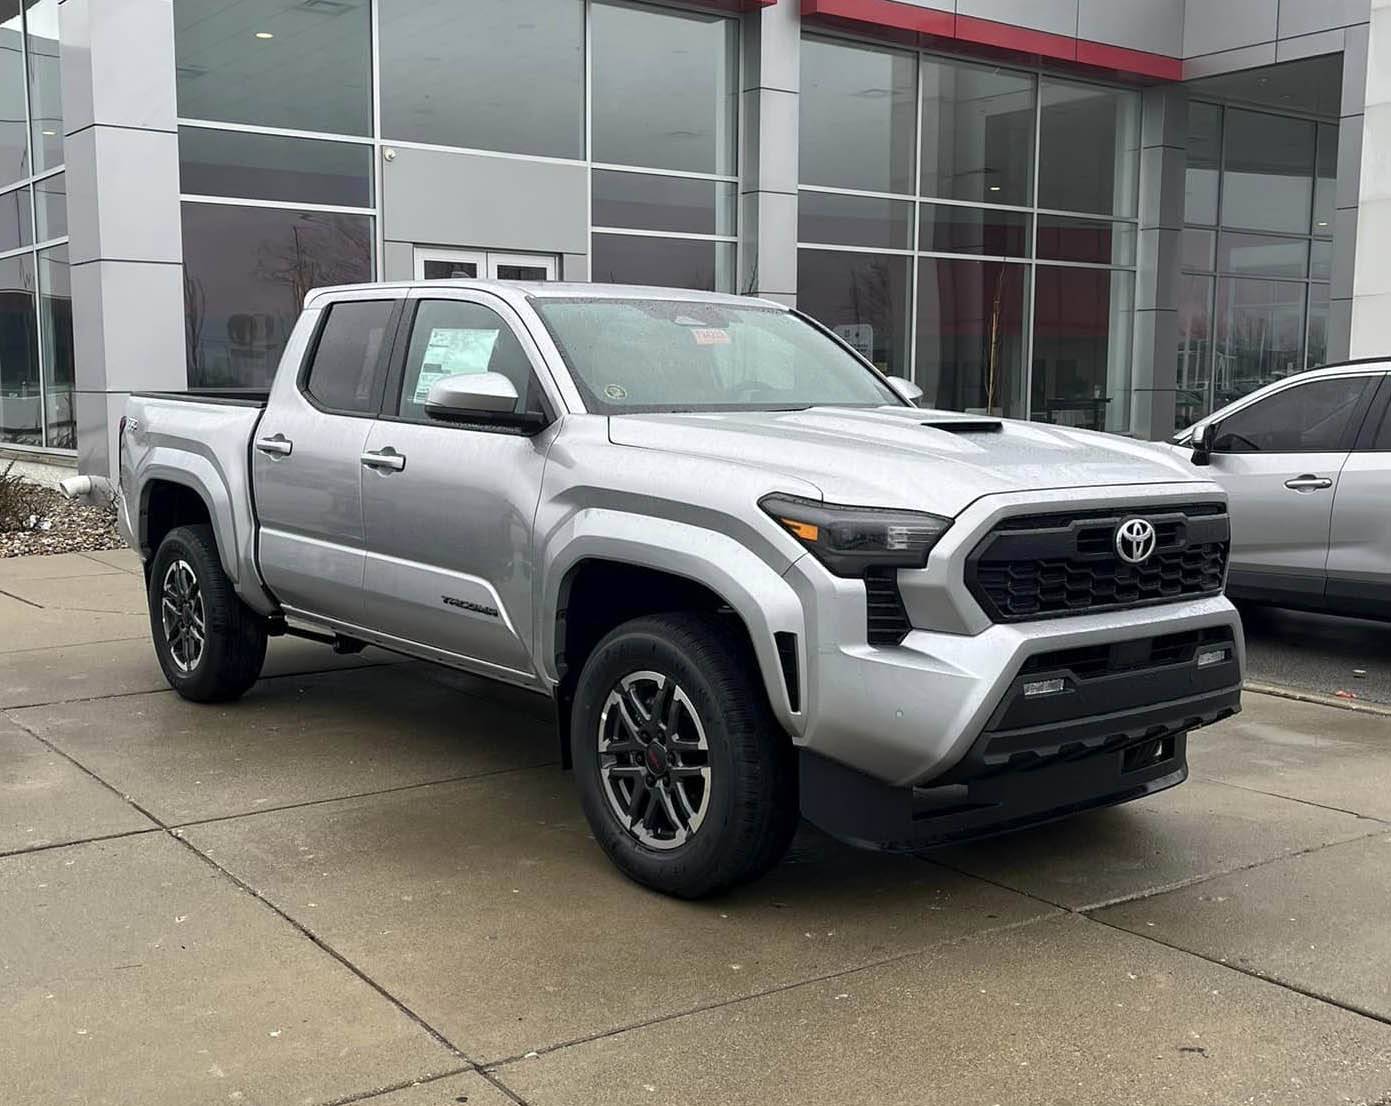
1066, 564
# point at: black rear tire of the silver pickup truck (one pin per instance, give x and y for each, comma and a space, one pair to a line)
234, 636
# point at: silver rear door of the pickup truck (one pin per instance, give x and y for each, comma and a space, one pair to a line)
307, 461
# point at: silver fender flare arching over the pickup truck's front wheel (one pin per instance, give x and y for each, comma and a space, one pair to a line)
753, 589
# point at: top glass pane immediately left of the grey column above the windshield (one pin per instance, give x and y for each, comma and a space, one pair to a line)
666, 88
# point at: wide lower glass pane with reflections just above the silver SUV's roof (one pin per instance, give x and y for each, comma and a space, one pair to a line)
1260, 335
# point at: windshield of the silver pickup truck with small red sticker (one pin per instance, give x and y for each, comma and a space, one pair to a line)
656, 355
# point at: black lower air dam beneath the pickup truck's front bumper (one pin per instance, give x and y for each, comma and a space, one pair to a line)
1088, 763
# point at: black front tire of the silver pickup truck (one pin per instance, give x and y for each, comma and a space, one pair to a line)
752, 809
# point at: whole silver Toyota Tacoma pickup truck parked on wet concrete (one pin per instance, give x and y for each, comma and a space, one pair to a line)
757, 581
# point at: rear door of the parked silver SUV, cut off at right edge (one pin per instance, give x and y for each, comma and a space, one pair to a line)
1360, 552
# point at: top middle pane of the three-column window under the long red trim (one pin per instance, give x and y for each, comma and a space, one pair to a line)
977, 133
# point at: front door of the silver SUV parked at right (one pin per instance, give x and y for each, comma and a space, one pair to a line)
1280, 461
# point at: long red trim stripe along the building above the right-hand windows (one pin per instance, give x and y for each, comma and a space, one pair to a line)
988, 33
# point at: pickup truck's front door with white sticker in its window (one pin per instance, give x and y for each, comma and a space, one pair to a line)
449, 521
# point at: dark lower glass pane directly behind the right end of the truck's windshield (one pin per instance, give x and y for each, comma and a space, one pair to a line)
863, 298
